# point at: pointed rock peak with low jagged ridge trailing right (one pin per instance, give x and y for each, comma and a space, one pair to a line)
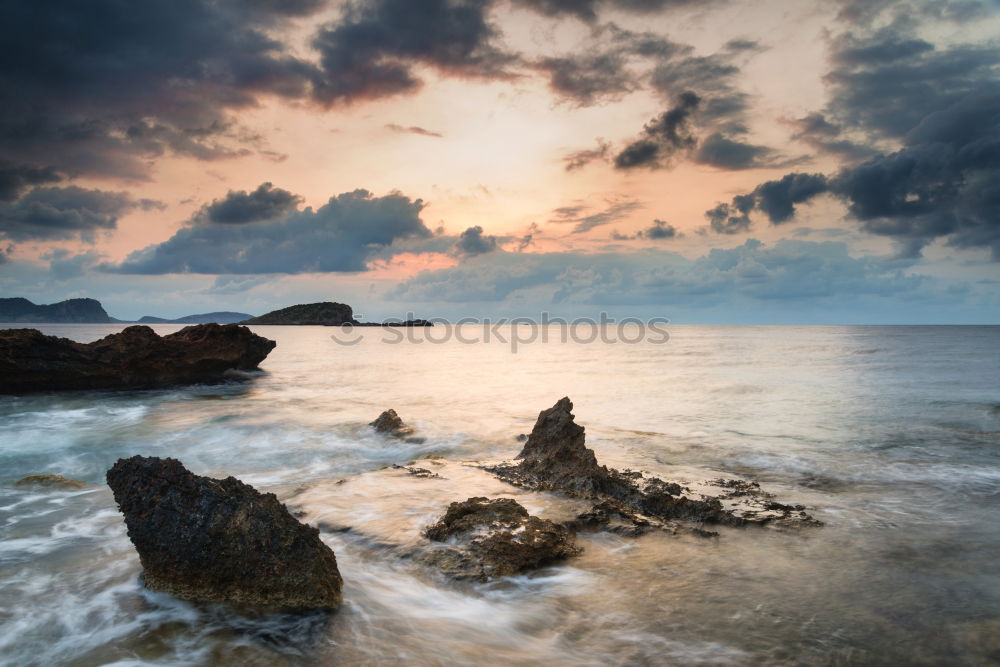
556, 458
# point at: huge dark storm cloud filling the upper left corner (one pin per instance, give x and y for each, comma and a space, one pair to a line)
103, 88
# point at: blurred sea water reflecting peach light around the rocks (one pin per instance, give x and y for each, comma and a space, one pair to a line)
890, 436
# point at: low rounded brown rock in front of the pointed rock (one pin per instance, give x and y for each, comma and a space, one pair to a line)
496, 538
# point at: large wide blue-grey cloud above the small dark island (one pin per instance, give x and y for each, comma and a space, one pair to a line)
340, 236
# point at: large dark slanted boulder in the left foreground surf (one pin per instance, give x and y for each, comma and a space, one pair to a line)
211, 540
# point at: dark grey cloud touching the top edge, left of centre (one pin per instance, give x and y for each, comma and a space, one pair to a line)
372, 50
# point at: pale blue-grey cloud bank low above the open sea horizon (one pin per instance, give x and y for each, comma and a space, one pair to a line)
789, 271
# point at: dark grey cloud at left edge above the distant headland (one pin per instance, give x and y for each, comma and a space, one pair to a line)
53, 213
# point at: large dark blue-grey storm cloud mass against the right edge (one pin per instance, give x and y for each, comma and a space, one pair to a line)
941, 107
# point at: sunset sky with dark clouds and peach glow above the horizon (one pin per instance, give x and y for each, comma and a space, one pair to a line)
706, 161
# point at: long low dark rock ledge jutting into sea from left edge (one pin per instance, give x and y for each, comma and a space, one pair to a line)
135, 358
